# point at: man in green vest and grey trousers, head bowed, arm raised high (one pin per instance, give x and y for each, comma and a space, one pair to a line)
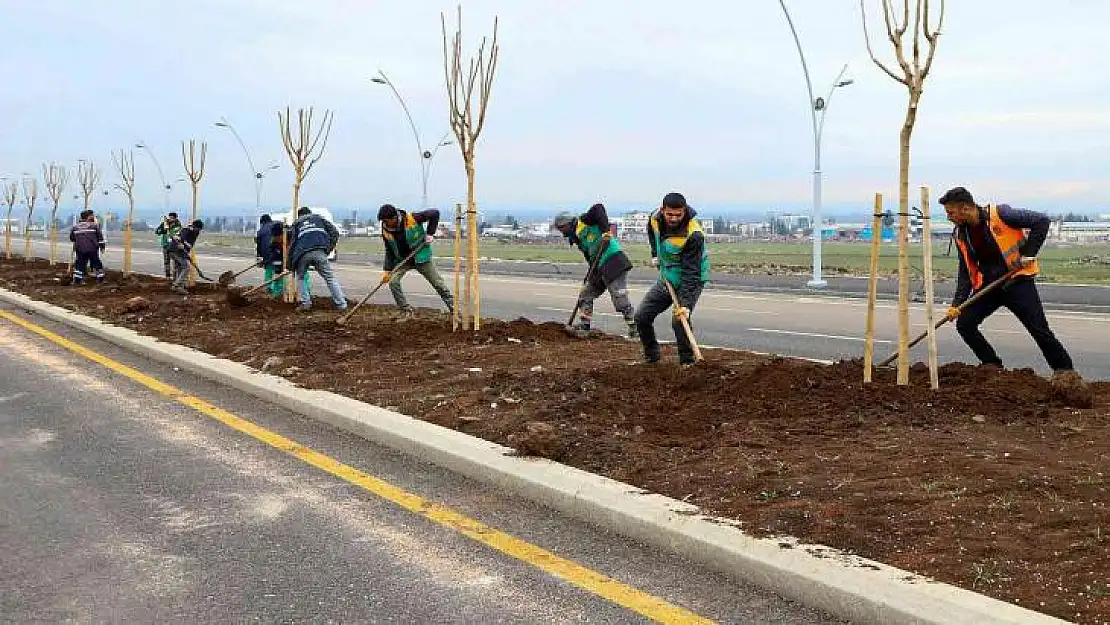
591, 234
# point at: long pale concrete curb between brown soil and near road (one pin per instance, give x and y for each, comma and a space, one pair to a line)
851, 588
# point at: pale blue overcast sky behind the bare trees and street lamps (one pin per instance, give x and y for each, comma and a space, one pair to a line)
593, 100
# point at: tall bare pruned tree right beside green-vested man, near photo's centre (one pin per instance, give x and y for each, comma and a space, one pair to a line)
468, 118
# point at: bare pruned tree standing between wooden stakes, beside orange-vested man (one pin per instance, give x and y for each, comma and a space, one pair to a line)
912, 75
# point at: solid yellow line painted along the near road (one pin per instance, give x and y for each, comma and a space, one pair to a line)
607, 588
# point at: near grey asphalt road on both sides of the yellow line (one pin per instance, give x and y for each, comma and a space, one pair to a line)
119, 505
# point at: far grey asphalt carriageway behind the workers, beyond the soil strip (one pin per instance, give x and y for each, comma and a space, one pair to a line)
798, 325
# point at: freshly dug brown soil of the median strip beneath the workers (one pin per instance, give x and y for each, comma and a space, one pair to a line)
993, 483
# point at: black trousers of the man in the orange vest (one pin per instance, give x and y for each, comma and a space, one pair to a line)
1024, 301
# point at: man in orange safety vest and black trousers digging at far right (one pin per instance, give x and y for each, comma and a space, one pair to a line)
993, 241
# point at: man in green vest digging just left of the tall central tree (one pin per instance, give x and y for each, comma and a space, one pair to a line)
402, 234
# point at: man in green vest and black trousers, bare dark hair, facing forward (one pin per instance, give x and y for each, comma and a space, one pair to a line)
680, 251
